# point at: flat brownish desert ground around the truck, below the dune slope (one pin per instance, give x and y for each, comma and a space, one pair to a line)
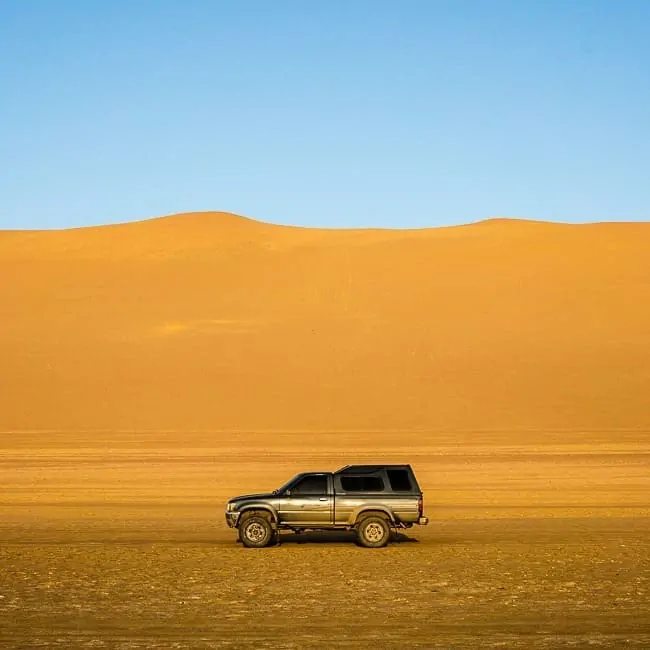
118, 541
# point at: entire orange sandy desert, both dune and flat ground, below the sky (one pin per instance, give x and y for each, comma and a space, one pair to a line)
151, 370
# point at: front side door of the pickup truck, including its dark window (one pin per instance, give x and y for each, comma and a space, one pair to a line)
310, 502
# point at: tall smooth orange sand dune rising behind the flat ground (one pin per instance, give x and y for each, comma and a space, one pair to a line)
211, 321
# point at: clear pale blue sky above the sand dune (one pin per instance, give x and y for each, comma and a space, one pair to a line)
401, 113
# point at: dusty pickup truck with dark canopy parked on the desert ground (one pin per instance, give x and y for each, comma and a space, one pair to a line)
369, 499
